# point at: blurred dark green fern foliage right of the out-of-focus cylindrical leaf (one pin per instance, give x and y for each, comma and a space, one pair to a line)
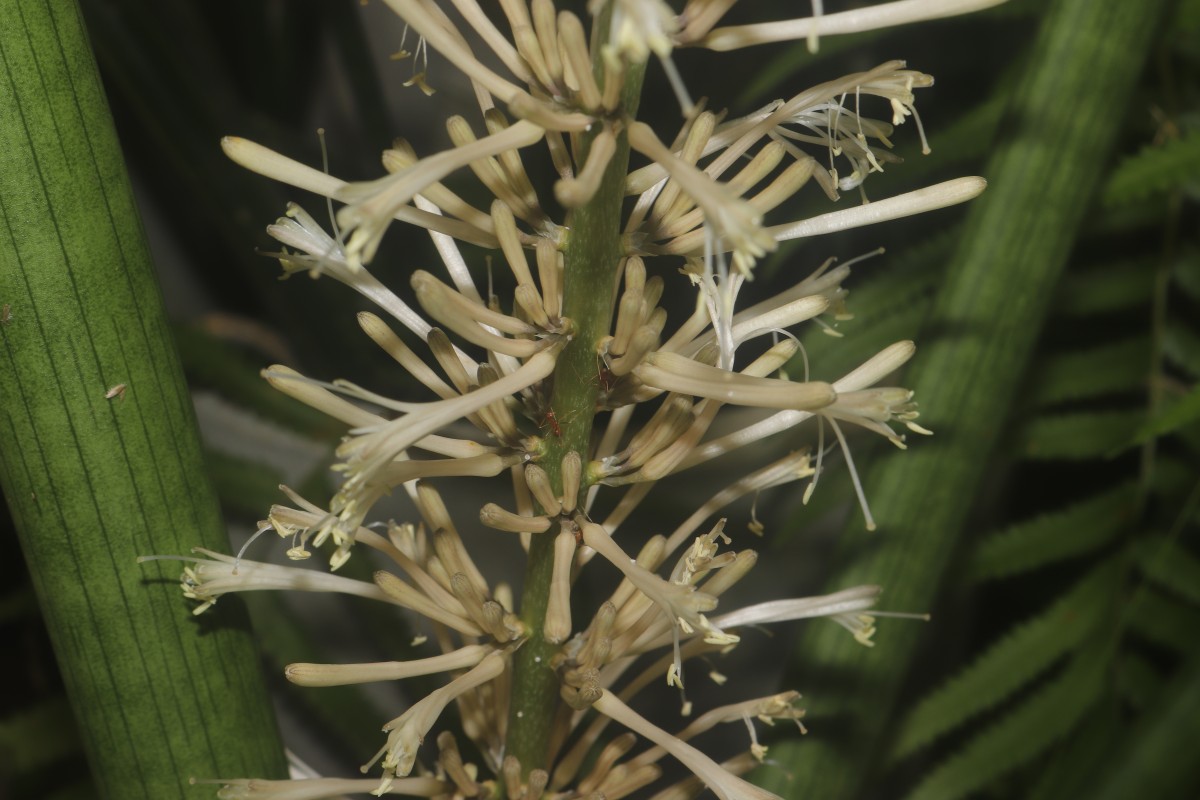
1083, 699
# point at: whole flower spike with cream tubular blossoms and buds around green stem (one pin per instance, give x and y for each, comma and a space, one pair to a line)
578, 346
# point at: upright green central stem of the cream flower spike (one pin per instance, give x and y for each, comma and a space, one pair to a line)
592, 257
